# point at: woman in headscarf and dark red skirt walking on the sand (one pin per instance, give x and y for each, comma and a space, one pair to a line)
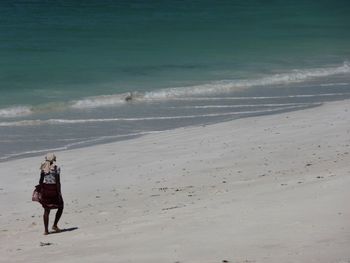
50, 188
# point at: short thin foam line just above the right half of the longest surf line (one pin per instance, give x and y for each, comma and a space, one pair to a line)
242, 105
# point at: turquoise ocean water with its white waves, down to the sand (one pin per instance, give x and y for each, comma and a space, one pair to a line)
66, 67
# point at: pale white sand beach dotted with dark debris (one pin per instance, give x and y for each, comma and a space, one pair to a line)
262, 189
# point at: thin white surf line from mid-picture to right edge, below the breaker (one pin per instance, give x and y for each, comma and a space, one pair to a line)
263, 97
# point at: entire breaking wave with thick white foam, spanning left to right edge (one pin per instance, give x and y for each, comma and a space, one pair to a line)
189, 92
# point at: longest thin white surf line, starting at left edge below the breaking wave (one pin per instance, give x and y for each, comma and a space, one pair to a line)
81, 121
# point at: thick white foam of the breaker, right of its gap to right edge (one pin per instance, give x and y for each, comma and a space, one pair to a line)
216, 87
